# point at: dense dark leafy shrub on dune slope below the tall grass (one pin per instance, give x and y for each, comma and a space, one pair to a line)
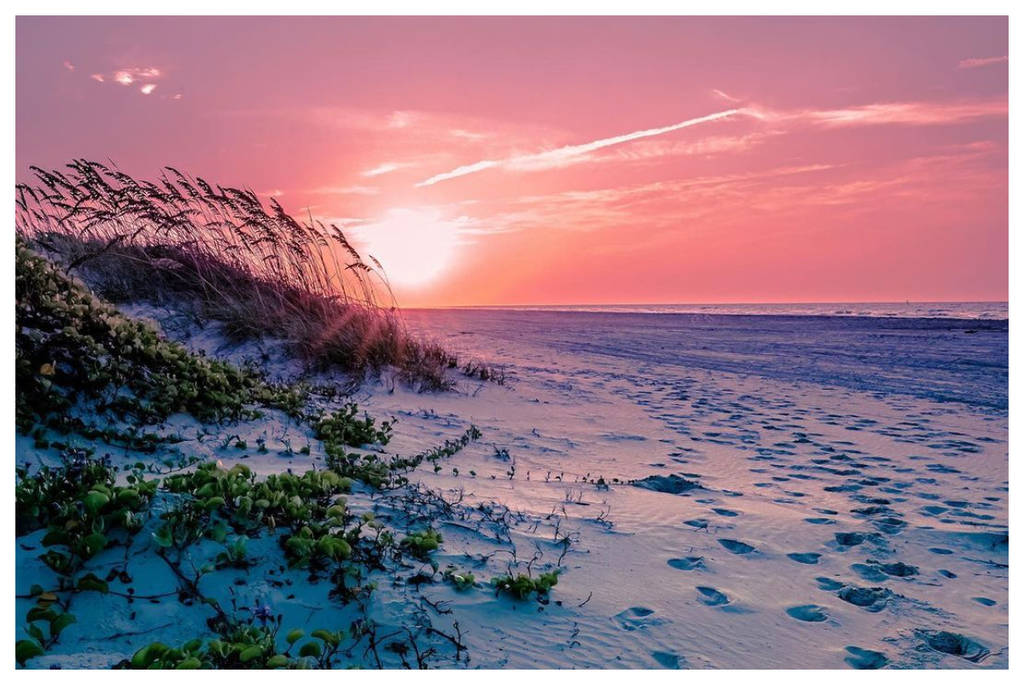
71, 348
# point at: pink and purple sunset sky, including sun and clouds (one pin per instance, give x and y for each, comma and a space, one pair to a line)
569, 160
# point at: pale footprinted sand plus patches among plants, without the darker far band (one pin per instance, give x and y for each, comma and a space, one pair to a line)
649, 582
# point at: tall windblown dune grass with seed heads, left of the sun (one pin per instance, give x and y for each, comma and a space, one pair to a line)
232, 260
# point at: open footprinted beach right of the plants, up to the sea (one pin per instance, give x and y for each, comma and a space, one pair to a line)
800, 431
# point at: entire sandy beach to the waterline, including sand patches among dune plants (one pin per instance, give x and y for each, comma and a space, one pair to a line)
718, 491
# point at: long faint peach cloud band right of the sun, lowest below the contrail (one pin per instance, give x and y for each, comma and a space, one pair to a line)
951, 178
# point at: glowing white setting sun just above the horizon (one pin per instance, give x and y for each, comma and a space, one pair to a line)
415, 247
